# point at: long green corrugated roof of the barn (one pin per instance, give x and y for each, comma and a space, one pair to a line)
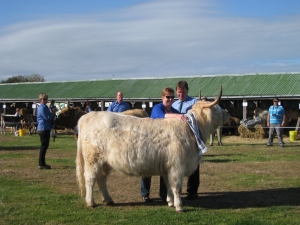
234, 86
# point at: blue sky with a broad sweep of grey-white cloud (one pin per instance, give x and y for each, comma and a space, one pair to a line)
84, 40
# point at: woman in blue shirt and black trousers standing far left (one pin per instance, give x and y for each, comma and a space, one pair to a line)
45, 122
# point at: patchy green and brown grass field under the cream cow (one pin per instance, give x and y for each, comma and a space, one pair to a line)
242, 182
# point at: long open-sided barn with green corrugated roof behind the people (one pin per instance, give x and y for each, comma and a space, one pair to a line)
242, 94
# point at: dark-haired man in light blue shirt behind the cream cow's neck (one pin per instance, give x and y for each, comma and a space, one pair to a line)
183, 104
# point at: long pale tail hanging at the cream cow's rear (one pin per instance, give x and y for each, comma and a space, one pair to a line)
80, 168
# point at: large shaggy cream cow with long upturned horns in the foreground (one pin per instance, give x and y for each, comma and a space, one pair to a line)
141, 147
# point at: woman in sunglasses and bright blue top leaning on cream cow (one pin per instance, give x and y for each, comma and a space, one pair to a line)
161, 110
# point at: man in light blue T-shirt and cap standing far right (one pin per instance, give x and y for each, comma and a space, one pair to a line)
275, 120
